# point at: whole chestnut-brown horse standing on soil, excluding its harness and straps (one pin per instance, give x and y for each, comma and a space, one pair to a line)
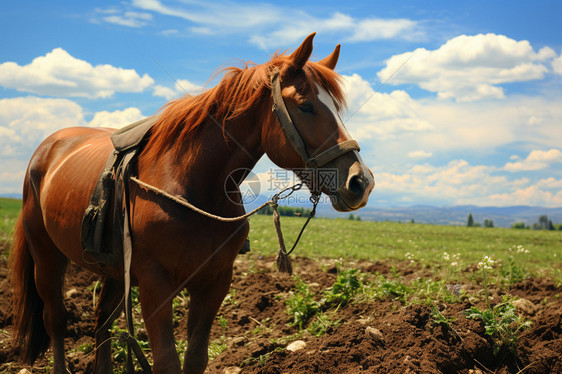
194, 146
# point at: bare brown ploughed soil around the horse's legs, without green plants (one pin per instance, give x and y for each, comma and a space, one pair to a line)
257, 331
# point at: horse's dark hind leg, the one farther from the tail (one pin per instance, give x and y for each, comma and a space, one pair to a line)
107, 310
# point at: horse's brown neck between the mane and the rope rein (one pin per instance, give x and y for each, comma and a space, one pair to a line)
200, 169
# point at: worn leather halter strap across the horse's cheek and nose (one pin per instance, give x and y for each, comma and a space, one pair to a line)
294, 136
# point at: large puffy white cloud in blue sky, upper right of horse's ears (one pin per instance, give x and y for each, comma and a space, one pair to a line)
469, 68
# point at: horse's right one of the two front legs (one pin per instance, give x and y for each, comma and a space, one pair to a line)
203, 307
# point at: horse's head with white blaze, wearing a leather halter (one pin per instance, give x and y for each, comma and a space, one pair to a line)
307, 135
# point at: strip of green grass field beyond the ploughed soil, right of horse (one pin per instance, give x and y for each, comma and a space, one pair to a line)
336, 238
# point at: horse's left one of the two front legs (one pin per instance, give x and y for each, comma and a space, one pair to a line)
158, 320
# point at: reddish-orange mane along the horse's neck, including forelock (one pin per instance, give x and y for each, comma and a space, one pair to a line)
239, 90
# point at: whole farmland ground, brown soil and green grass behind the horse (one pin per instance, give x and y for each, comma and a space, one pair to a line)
365, 297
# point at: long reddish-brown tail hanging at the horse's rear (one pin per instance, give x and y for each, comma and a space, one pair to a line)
30, 336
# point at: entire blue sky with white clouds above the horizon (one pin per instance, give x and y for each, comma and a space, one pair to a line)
452, 102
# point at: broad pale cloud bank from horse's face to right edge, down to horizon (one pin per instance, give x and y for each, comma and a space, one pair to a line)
380, 122
